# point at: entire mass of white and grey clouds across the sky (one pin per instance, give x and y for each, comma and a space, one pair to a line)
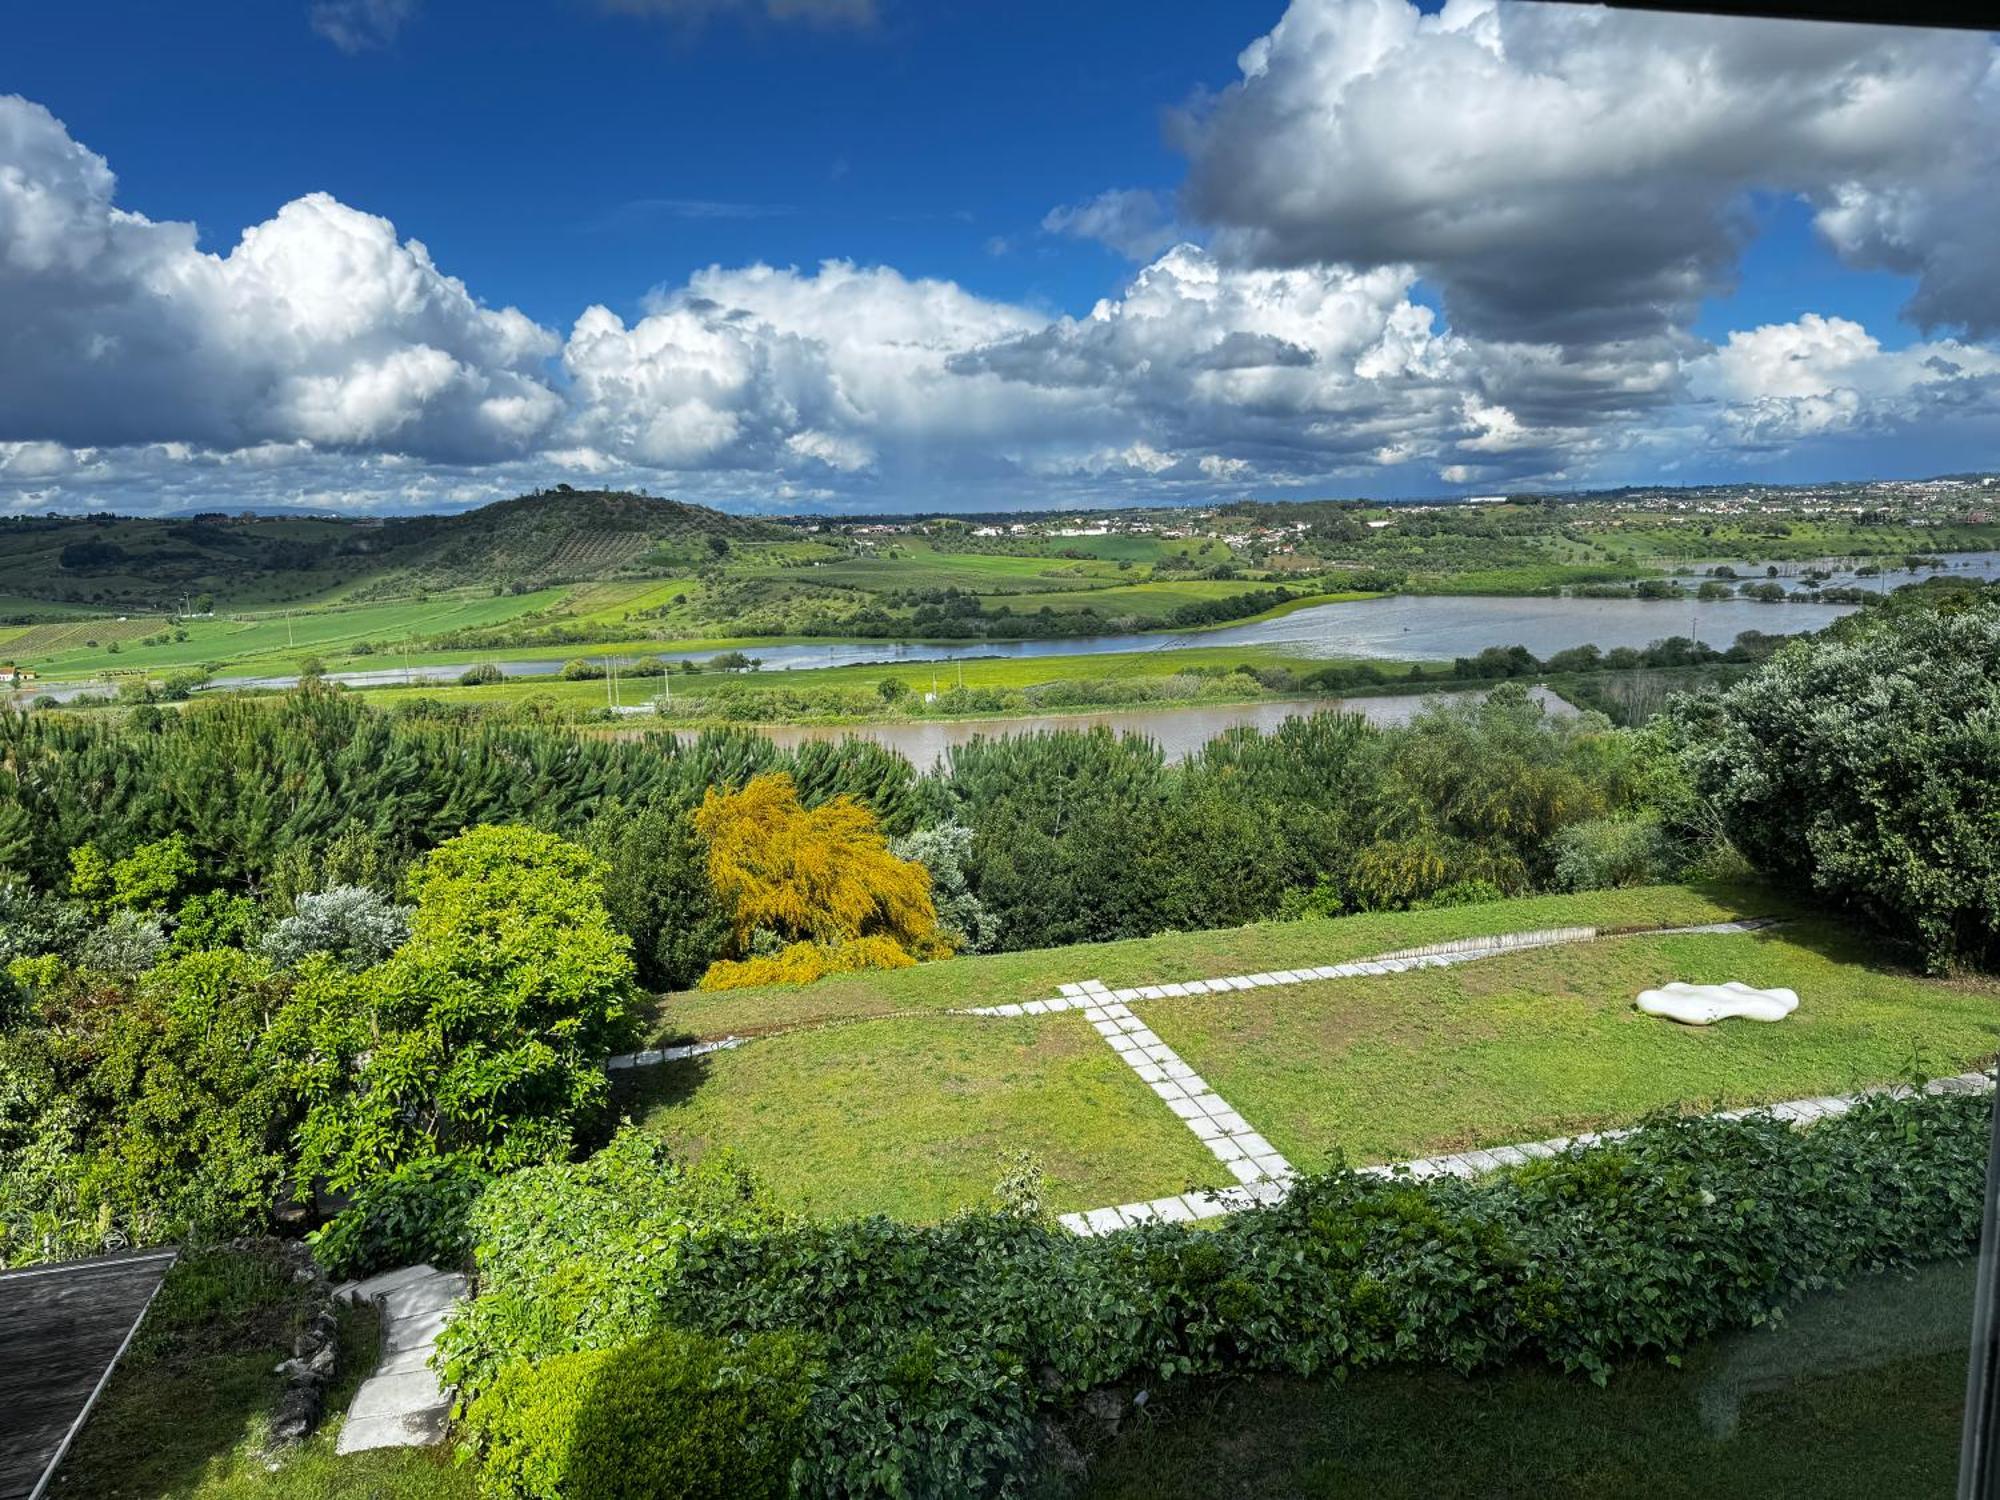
1411, 253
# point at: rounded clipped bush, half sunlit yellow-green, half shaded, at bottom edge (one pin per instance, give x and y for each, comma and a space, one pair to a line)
669, 1415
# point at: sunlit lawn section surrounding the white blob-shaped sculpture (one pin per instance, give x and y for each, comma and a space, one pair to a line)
1547, 1043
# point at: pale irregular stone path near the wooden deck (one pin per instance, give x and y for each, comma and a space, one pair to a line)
403, 1405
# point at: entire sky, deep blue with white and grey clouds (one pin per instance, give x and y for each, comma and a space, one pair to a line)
801, 255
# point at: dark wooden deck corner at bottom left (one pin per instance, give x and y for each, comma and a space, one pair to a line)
61, 1333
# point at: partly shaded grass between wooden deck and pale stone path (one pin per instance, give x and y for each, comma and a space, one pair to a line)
187, 1413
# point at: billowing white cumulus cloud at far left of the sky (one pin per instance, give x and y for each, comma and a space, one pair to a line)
319, 325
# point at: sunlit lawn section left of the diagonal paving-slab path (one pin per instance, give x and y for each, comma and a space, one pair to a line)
915, 1117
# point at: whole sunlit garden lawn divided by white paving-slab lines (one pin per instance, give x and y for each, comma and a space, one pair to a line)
863, 1095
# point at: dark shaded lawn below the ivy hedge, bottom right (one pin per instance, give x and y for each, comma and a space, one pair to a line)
1859, 1395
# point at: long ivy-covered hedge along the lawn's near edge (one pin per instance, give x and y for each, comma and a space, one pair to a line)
941, 1345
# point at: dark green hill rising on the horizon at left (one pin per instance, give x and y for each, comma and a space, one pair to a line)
171, 563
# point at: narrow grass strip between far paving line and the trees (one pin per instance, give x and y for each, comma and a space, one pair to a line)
1037, 973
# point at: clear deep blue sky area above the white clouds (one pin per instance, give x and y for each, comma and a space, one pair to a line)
553, 155
